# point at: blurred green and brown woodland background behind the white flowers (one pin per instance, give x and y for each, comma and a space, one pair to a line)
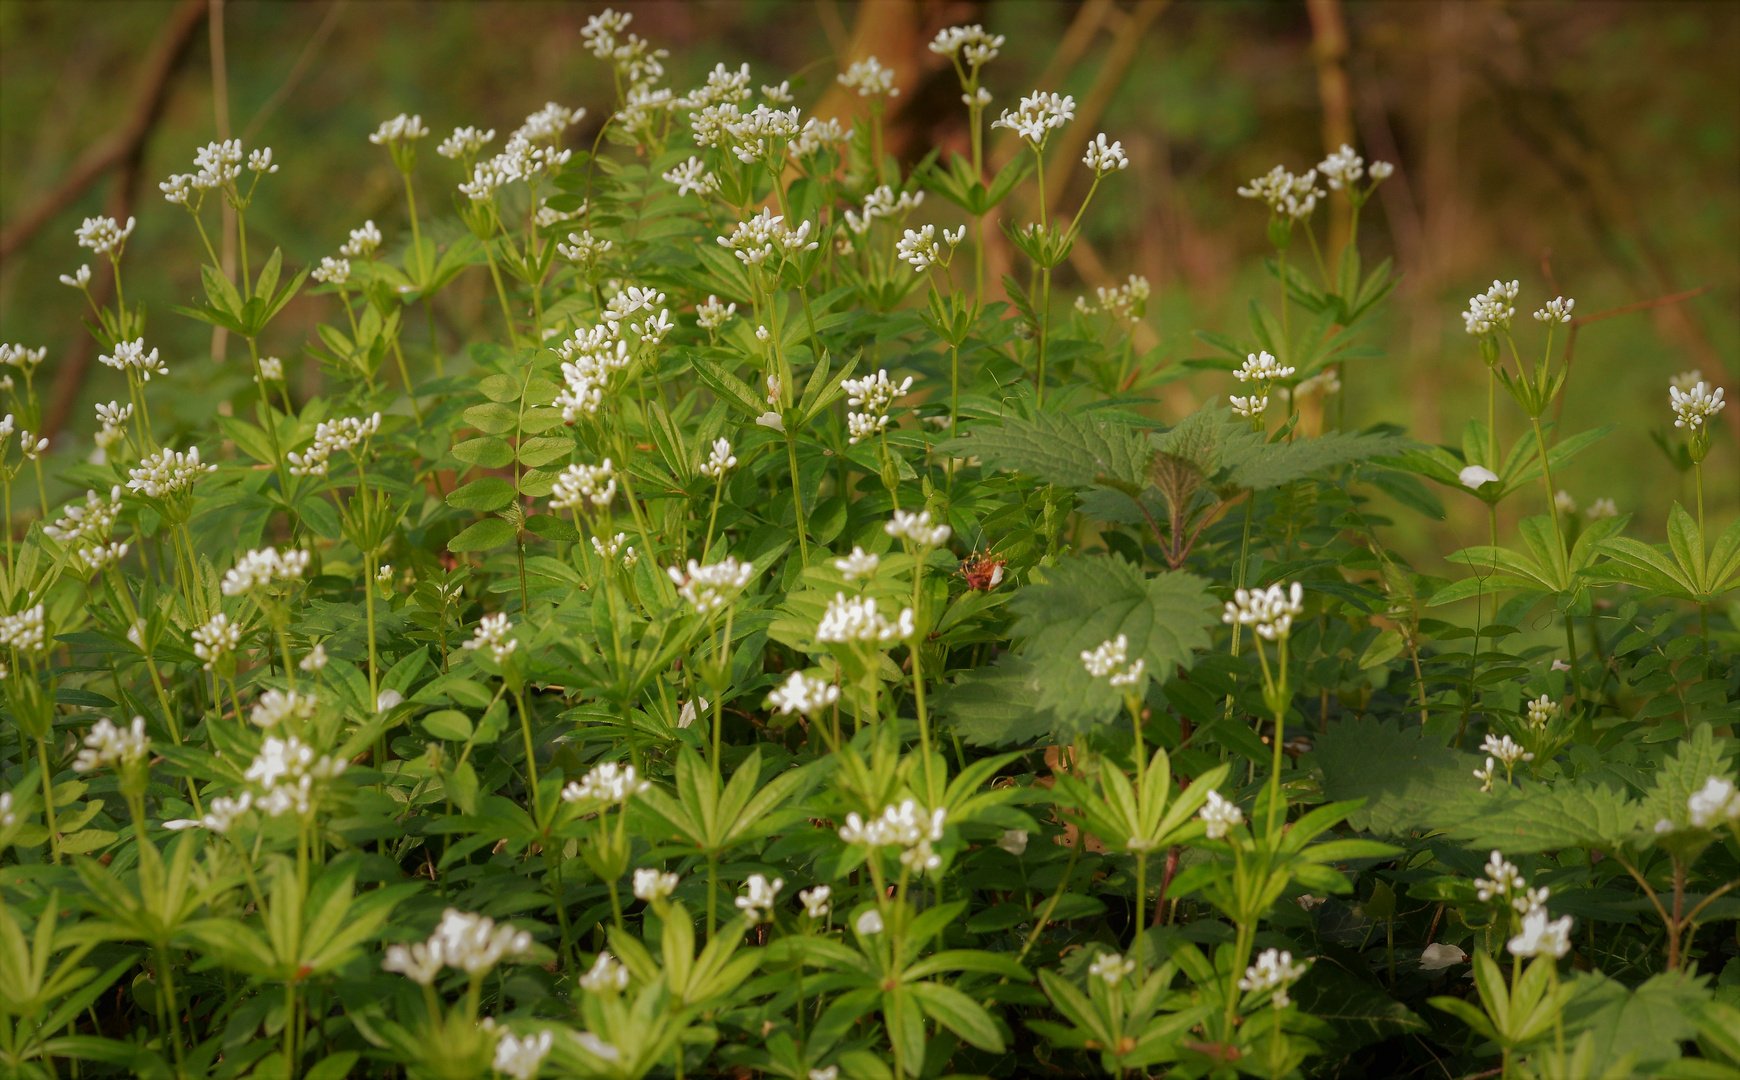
1586, 149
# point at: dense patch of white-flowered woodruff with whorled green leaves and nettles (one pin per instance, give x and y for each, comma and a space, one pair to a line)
772, 657
